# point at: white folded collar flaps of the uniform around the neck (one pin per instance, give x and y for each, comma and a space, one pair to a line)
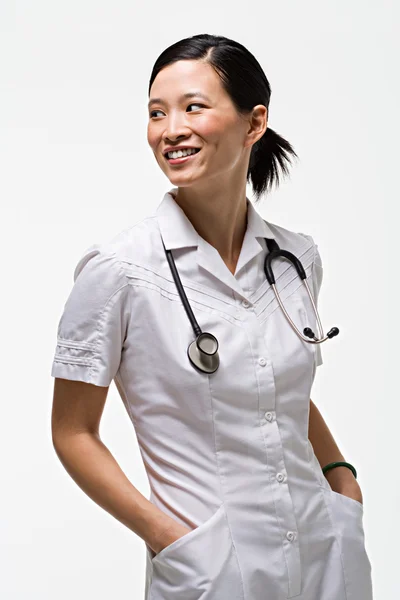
177, 230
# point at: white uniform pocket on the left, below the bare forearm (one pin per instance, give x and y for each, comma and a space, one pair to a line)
200, 564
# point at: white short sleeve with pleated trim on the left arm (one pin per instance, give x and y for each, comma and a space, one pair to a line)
93, 325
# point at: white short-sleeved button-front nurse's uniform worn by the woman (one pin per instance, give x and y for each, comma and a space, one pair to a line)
226, 454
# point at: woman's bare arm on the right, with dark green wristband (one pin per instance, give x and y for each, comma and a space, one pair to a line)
341, 479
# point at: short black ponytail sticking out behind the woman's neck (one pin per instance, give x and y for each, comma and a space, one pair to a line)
269, 155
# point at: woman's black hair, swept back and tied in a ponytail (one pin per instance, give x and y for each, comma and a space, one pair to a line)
244, 80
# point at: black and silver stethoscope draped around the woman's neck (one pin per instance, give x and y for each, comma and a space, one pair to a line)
203, 351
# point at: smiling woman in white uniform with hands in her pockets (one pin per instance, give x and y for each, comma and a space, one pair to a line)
240, 506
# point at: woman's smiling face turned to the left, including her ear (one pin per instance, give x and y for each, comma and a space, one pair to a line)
208, 120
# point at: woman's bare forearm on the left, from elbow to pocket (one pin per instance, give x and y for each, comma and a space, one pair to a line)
92, 466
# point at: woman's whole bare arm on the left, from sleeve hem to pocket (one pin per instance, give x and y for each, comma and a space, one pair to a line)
76, 413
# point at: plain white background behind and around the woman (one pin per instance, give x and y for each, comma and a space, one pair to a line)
76, 169
